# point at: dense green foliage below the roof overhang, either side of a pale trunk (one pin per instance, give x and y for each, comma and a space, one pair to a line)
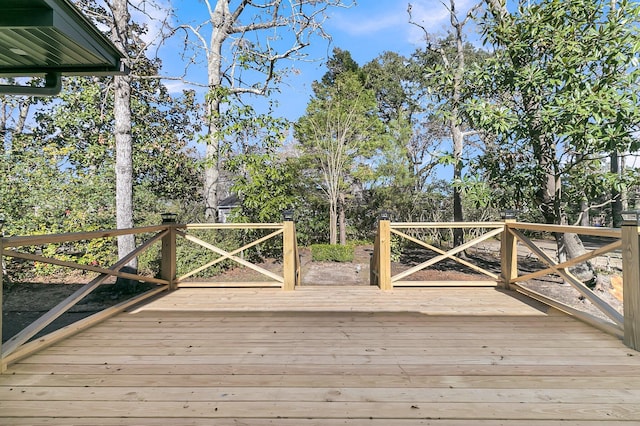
59, 176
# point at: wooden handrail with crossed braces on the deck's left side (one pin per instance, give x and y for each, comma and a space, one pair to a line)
166, 233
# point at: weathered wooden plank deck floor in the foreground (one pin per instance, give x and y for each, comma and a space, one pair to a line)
332, 355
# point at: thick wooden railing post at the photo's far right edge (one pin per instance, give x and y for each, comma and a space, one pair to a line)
631, 283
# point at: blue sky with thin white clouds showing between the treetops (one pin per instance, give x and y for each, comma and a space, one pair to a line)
366, 30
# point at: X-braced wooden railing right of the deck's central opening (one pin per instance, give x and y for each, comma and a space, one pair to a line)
512, 238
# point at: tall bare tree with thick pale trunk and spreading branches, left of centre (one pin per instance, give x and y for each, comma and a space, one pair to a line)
243, 49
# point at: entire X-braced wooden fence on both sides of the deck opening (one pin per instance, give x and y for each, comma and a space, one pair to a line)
511, 235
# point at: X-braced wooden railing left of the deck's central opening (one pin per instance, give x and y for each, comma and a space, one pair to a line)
165, 236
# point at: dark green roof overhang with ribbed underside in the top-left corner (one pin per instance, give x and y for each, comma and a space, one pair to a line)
52, 37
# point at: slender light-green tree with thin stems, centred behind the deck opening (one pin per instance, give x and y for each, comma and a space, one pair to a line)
341, 135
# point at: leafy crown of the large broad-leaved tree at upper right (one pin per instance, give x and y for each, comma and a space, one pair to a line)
559, 95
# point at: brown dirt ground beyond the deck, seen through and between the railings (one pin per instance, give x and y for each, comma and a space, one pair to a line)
23, 303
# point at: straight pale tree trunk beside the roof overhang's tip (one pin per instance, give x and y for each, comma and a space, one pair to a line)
122, 118
